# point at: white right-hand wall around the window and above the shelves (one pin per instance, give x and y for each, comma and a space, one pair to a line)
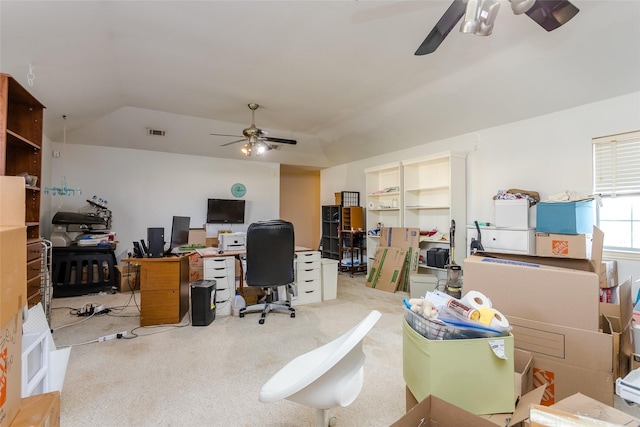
547, 154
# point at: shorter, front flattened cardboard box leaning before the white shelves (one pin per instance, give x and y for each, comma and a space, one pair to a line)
387, 269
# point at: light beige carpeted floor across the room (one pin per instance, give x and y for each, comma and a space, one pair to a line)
187, 375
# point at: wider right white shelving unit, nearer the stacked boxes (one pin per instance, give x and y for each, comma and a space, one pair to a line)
434, 194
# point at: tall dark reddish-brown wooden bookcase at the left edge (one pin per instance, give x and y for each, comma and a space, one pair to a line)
21, 117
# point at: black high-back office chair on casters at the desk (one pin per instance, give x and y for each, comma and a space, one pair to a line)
270, 254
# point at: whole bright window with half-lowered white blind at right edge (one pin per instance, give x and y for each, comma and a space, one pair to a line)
616, 178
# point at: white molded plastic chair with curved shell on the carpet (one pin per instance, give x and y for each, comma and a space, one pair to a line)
324, 378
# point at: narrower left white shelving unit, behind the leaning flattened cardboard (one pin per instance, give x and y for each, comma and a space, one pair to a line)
383, 201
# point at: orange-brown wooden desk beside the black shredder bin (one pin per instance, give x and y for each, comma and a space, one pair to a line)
164, 289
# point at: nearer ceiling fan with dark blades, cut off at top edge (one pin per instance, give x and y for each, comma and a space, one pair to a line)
479, 16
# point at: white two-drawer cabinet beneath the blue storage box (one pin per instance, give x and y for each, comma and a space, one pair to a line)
510, 240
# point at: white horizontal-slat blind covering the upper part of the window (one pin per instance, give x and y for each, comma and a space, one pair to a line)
616, 164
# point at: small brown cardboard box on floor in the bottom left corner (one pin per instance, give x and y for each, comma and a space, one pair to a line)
40, 410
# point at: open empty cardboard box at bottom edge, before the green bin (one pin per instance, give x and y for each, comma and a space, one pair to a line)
439, 413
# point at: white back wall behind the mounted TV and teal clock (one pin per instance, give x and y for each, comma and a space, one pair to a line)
146, 188
